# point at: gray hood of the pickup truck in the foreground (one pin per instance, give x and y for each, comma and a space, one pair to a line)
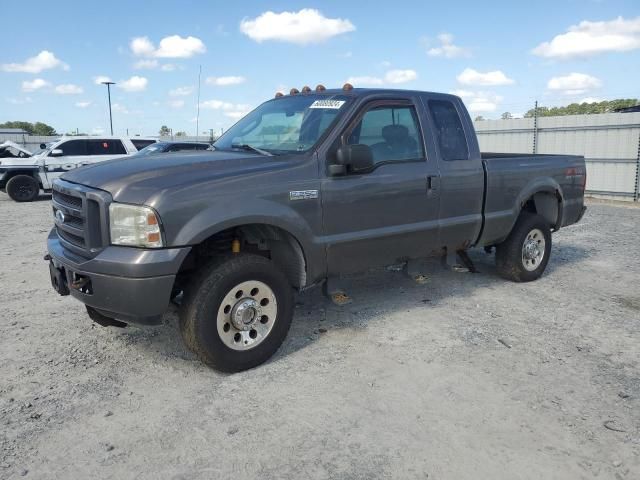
139, 180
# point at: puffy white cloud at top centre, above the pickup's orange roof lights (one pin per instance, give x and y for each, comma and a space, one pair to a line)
304, 27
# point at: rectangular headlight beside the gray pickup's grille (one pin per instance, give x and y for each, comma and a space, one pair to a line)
134, 226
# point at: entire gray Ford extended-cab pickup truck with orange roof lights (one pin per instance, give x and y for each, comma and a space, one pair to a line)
307, 187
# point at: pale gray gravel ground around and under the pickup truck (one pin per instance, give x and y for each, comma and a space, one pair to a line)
463, 376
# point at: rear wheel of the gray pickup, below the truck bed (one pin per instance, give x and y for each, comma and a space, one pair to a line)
511, 260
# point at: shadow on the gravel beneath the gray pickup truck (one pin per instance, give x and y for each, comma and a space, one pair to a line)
374, 295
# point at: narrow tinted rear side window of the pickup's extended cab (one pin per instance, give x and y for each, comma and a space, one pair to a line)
449, 132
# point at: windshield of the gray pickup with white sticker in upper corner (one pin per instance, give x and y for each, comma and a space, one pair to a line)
286, 125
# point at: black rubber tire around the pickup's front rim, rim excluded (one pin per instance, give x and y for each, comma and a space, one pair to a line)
203, 300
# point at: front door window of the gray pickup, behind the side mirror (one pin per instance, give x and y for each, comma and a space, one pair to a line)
392, 132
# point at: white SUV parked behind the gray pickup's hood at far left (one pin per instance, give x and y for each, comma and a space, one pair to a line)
23, 174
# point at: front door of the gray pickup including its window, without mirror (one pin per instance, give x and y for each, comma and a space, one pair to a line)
388, 214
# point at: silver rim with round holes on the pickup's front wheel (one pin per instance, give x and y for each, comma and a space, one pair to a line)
246, 315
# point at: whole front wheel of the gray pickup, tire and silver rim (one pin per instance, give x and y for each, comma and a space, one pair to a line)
236, 313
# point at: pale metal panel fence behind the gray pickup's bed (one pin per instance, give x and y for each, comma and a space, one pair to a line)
610, 143
